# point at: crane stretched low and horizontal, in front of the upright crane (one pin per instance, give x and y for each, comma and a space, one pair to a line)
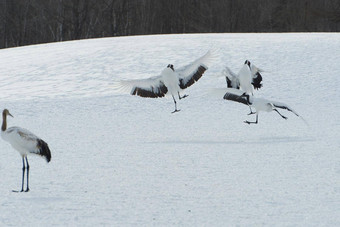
259, 104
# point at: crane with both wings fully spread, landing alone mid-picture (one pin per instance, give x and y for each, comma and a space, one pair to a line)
171, 81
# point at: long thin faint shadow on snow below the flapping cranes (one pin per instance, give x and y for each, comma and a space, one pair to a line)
262, 140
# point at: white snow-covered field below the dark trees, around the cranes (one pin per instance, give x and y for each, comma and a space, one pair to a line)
122, 160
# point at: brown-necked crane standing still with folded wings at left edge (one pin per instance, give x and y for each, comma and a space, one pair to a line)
25, 143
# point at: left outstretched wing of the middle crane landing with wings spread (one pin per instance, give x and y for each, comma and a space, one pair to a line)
152, 87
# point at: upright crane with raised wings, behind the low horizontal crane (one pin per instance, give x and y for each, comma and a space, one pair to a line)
247, 79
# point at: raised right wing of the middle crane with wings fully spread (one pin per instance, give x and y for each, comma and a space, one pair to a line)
191, 73
